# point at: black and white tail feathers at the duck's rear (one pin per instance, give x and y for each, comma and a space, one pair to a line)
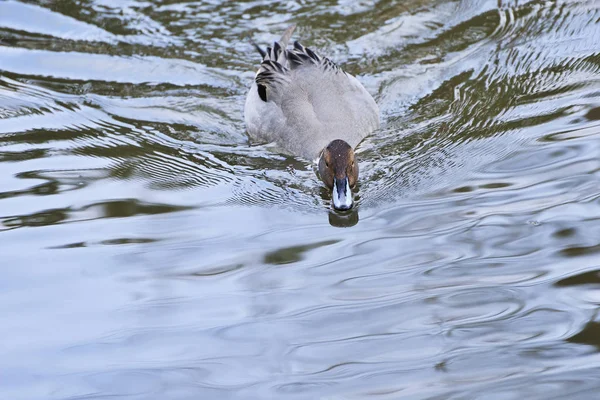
279, 60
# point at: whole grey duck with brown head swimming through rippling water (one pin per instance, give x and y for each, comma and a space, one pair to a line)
311, 108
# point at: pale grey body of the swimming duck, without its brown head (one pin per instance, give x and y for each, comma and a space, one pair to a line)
302, 102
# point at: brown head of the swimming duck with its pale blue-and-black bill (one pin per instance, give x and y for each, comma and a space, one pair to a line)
339, 171
